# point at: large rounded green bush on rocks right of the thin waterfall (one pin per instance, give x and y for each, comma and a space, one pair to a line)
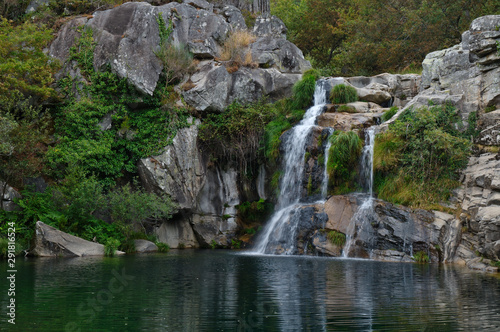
418, 159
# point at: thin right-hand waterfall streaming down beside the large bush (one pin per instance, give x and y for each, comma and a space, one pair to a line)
362, 216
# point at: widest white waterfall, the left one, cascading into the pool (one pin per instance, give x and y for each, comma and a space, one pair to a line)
279, 233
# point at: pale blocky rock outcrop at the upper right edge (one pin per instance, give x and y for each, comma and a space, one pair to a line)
468, 72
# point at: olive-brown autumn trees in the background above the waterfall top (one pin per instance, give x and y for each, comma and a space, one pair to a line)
366, 37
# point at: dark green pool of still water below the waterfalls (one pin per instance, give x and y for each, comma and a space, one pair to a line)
210, 290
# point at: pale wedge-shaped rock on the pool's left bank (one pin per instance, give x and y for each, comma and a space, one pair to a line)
50, 242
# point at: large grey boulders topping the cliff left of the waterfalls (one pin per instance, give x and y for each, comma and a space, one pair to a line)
128, 36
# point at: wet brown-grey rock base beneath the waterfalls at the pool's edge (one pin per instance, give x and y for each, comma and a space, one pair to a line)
383, 231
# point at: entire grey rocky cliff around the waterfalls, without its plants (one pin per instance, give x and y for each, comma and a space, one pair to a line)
466, 75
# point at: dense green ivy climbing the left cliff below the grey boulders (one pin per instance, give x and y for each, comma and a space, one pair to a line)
134, 133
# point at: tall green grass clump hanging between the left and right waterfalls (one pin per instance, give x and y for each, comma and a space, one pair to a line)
342, 159
